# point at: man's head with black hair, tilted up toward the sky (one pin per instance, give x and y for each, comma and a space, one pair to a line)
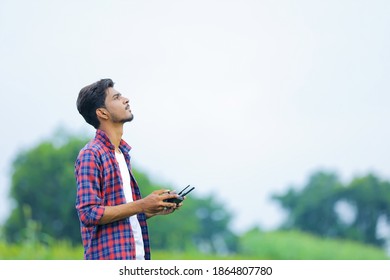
101, 102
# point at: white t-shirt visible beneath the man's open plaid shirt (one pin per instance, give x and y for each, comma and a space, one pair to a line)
139, 243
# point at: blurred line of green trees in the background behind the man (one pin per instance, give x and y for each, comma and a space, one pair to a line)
43, 189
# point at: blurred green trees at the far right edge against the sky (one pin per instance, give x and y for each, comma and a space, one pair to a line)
313, 208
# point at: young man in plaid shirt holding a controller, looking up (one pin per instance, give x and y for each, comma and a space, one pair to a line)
111, 210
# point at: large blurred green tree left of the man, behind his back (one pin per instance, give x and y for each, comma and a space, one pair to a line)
44, 190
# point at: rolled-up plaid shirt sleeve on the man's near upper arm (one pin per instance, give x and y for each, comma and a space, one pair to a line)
89, 202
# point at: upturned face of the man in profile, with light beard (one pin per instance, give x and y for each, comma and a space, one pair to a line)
118, 106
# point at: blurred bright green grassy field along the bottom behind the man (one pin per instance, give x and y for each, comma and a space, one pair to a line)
254, 245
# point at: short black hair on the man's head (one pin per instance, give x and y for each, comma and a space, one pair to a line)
92, 97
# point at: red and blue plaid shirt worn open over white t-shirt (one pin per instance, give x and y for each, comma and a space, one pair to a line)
99, 184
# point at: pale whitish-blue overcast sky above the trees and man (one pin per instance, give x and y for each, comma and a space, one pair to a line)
241, 99
